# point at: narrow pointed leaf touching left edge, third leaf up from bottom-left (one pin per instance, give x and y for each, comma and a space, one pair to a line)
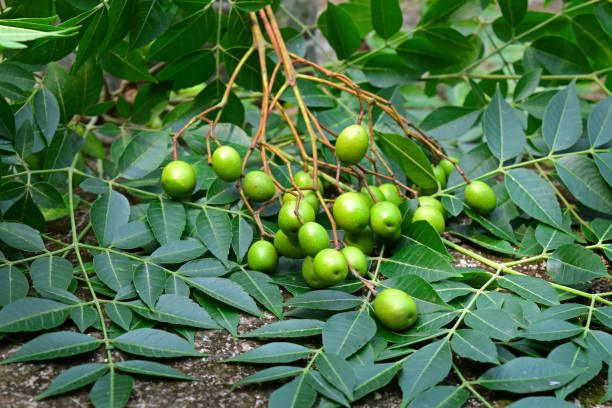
54, 345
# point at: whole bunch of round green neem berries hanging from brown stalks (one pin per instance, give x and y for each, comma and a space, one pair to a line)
367, 217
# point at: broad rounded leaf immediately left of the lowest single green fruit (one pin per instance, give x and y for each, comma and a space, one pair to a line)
345, 333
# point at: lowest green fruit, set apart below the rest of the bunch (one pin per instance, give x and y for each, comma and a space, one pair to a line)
395, 309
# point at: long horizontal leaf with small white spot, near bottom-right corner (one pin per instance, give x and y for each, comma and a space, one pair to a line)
525, 375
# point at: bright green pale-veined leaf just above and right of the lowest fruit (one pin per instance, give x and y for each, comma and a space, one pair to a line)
418, 260
